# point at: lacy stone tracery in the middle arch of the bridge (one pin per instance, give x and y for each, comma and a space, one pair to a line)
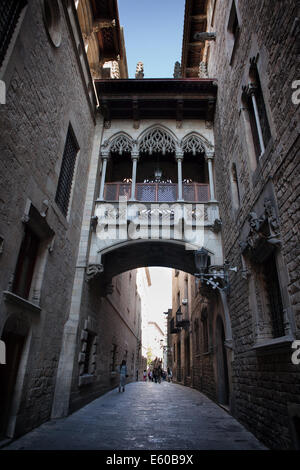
157, 138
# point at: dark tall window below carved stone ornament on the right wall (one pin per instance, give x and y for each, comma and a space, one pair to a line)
274, 299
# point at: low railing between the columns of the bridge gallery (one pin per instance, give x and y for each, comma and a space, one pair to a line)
157, 192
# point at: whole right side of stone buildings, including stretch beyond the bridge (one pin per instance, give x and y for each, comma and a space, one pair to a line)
239, 351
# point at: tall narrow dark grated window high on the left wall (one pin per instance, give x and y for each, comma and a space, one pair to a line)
64, 187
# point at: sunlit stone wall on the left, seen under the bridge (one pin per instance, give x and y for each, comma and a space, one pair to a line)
117, 321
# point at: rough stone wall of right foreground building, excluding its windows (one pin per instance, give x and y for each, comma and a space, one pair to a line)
265, 382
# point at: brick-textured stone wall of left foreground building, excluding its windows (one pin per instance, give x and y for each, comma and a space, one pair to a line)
45, 93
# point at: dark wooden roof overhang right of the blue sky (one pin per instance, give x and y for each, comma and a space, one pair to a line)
195, 21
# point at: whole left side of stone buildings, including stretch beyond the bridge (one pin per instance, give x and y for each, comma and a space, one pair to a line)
50, 132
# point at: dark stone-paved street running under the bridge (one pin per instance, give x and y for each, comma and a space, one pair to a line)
146, 416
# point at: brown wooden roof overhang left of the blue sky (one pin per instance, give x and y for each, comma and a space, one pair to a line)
107, 28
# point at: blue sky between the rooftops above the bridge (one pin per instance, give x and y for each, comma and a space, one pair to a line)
153, 32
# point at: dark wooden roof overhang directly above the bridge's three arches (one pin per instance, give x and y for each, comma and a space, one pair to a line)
157, 98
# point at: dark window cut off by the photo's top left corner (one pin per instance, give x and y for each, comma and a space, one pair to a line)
9, 14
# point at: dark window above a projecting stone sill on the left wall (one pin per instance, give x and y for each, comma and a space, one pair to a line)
25, 264
